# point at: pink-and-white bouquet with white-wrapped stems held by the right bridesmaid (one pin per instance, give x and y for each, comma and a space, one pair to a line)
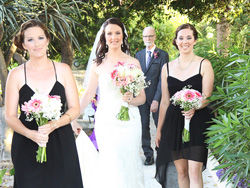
187, 99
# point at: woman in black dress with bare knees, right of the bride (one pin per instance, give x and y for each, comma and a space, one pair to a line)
188, 69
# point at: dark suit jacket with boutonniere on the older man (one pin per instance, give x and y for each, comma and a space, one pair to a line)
153, 72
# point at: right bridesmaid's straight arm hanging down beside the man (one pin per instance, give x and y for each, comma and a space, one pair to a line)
165, 101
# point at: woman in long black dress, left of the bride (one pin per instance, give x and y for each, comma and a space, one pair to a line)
62, 167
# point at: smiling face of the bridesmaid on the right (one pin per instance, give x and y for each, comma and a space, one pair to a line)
185, 40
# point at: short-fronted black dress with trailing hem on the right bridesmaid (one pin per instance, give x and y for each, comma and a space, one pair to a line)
171, 146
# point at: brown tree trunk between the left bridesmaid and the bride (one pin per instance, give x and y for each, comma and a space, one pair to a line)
66, 50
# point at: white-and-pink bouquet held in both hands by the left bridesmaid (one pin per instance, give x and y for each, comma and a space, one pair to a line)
42, 108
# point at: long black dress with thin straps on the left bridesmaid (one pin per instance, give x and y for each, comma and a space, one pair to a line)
62, 168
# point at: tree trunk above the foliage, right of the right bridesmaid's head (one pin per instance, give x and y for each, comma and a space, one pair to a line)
223, 32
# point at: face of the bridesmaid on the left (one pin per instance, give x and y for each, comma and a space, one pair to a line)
35, 42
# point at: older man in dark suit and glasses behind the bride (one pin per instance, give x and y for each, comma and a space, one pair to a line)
151, 59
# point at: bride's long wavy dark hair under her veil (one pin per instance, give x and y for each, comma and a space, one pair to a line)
101, 49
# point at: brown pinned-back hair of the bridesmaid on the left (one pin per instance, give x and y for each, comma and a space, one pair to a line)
19, 37
